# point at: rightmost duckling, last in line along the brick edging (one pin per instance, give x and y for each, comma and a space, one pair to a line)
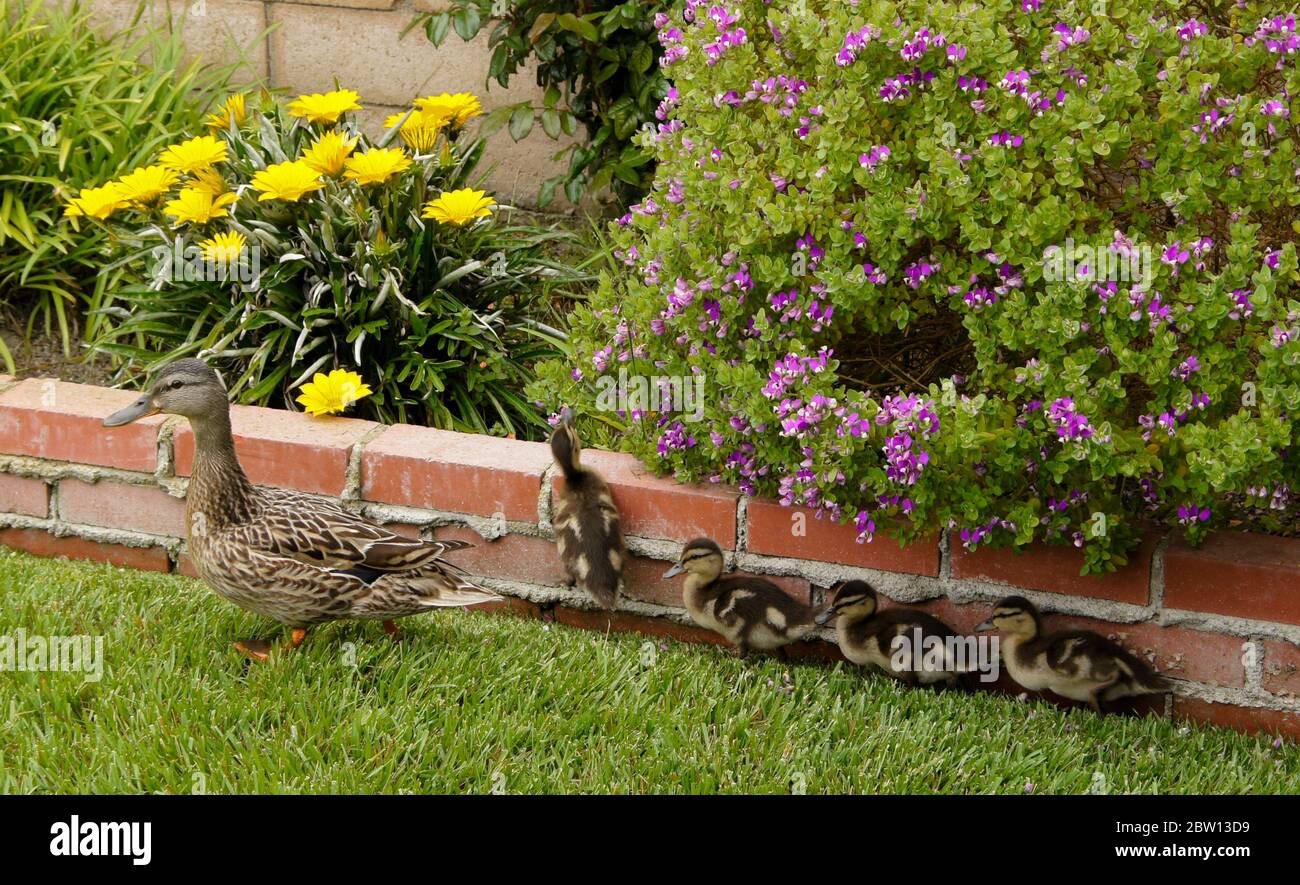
1076, 665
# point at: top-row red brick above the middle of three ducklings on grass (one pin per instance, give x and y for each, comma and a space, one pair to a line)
772, 532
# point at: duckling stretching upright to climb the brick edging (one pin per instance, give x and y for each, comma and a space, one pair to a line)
588, 530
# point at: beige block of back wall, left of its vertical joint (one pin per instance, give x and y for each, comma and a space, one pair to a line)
226, 32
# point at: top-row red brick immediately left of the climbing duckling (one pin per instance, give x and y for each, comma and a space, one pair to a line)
466, 474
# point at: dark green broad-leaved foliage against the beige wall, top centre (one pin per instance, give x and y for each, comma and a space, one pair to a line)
600, 68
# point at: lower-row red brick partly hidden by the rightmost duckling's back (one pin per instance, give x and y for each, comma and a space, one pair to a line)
1198, 656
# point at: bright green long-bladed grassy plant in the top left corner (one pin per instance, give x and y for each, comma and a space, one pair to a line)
75, 109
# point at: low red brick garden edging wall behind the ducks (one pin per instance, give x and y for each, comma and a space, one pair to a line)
1223, 621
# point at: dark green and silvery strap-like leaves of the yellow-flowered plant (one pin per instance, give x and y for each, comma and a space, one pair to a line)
443, 322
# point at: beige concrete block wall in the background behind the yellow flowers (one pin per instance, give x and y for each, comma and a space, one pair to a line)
306, 47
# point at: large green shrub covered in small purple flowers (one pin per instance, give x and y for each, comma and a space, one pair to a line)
1016, 268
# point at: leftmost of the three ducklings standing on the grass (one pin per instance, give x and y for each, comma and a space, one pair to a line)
749, 613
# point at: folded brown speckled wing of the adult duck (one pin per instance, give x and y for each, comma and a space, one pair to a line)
319, 532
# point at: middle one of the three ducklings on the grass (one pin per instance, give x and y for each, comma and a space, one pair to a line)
895, 640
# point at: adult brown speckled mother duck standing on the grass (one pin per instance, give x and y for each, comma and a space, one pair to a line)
294, 558
